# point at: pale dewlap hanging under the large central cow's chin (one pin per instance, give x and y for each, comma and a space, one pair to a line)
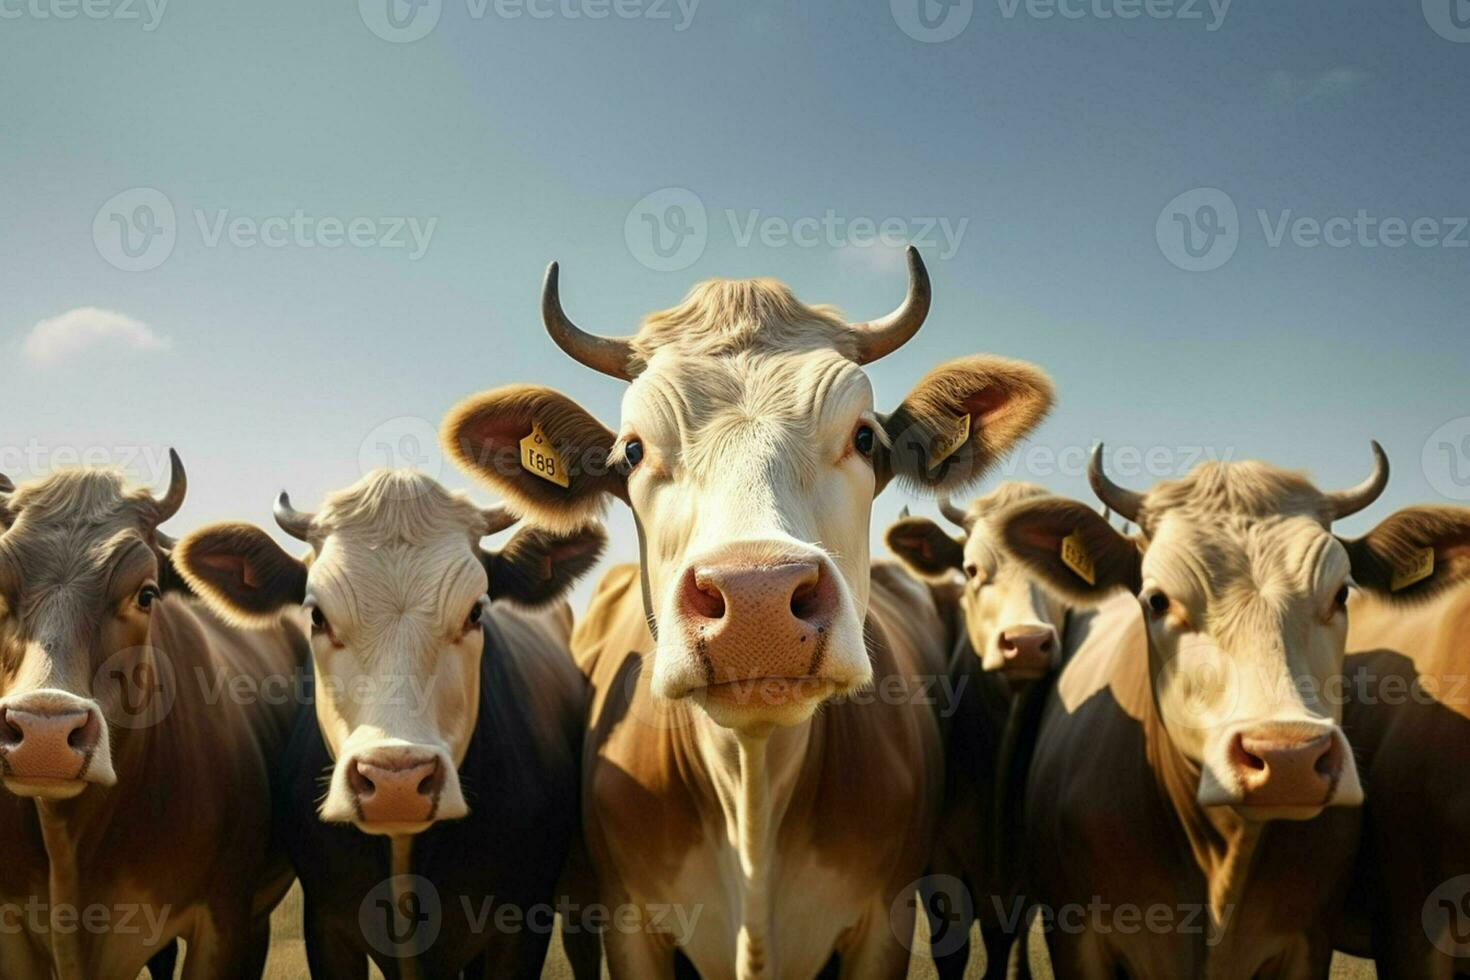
755, 779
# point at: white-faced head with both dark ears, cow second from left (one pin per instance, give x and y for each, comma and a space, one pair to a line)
396, 588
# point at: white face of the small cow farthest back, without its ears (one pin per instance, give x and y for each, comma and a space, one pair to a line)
1015, 624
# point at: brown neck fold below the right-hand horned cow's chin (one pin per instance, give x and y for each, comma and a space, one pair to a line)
1222, 844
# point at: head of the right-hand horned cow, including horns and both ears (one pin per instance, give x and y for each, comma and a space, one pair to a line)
1244, 590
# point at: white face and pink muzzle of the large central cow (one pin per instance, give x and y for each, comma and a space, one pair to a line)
753, 496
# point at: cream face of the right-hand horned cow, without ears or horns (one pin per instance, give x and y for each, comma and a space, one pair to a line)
1247, 622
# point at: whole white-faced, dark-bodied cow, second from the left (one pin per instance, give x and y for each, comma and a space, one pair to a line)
448, 721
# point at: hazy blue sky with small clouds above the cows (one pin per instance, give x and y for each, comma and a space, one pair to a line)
1065, 149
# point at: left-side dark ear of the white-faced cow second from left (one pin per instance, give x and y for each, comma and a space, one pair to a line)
240, 572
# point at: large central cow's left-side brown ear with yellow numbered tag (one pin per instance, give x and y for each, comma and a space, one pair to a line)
537, 449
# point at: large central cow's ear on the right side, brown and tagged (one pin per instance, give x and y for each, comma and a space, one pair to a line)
961, 418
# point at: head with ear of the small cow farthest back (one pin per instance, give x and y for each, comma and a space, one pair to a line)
1015, 624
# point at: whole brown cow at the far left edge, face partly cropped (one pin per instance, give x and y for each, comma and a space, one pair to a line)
136, 746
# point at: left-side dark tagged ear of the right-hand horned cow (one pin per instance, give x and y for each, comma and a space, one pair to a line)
1072, 549
